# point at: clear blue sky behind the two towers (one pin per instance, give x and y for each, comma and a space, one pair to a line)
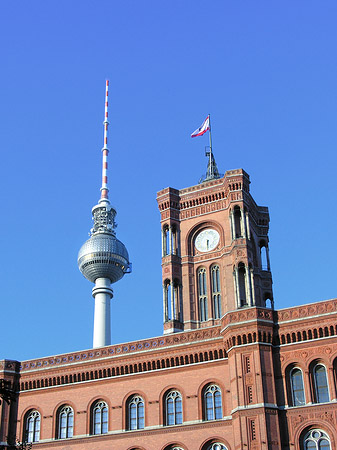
266, 71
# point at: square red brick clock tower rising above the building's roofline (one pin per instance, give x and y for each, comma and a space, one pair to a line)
215, 255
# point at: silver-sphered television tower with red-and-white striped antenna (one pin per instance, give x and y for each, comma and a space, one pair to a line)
103, 259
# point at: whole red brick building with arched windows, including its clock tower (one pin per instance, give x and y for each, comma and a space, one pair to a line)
229, 372
